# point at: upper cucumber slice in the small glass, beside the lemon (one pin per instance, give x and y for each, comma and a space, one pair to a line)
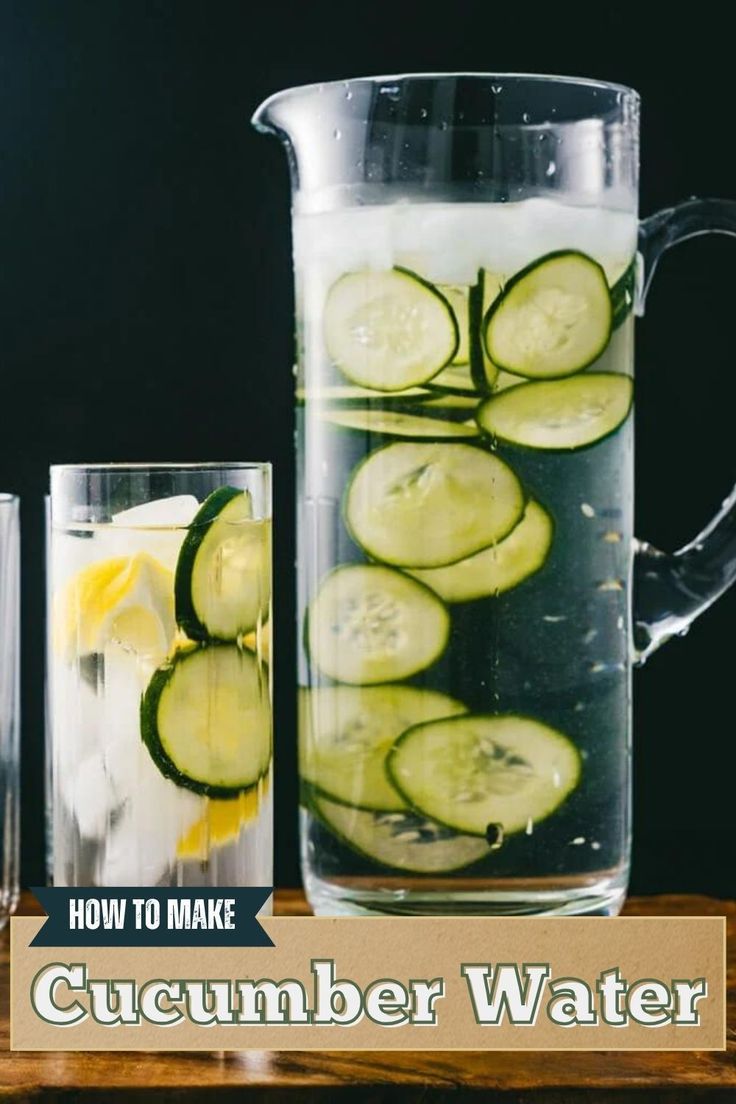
222, 587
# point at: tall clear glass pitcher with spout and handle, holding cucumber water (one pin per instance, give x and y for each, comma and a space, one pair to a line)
468, 262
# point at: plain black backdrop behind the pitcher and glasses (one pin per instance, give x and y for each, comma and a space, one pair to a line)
146, 306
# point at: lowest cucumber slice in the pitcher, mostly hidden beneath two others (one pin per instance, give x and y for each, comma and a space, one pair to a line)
401, 841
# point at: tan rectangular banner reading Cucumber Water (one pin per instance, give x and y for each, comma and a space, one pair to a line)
351, 984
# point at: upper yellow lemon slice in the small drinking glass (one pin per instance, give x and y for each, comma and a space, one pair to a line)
127, 600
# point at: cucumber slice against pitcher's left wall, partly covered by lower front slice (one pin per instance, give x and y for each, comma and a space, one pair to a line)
347, 733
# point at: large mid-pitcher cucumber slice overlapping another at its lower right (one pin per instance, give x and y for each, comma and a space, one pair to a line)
424, 506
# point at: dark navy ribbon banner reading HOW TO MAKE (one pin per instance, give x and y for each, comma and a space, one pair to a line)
89, 917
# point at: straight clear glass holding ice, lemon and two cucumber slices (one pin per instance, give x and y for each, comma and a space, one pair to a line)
161, 687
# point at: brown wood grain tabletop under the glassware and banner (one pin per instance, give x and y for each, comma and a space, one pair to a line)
426, 1077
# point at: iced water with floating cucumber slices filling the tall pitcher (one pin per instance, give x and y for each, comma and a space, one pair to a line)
465, 441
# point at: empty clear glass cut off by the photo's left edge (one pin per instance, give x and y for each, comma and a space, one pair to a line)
9, 705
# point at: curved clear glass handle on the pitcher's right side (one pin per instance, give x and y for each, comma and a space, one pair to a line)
671, 590
